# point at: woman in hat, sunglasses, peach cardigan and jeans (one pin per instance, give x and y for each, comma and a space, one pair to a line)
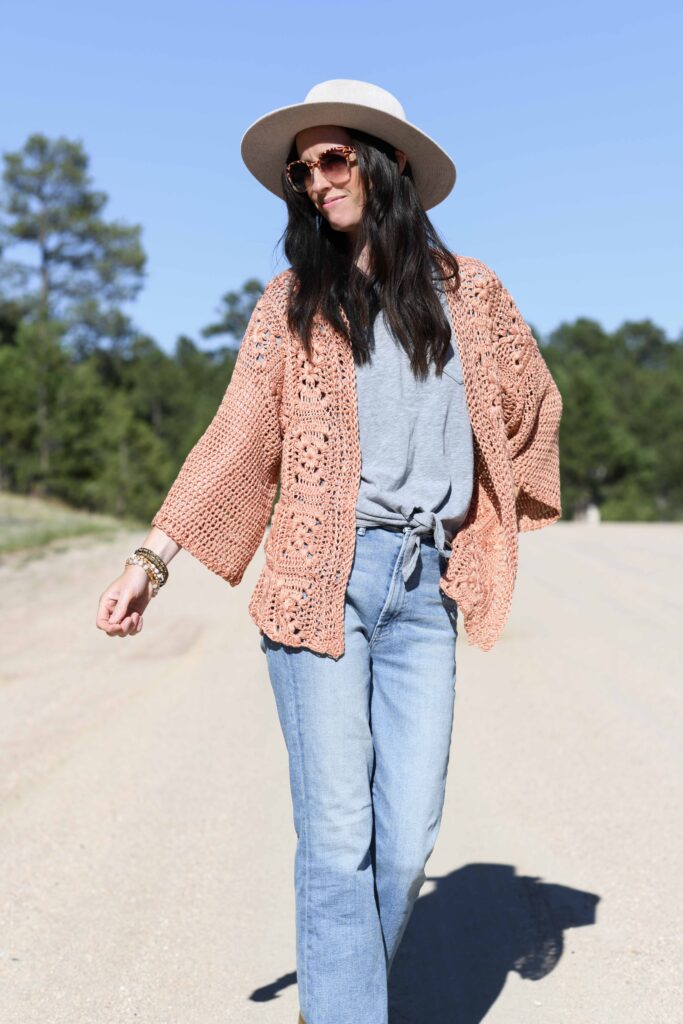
400, 400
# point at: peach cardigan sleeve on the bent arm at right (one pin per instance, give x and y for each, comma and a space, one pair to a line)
532, 411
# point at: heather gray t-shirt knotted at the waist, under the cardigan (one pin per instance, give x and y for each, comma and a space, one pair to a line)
416, 442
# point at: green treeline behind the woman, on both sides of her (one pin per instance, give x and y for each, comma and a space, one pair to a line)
96, 413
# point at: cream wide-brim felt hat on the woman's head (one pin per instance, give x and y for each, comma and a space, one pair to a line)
345, 102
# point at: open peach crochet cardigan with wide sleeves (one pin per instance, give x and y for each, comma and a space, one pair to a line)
288, 418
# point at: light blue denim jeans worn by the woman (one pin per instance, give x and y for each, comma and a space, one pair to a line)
368, 738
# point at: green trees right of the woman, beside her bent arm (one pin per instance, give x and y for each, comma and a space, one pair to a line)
622, 430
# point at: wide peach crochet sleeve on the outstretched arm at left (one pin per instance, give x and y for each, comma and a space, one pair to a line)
220, 504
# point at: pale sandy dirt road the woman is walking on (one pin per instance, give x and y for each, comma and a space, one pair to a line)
147, 837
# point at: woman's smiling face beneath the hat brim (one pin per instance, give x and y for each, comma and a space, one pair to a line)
340, 205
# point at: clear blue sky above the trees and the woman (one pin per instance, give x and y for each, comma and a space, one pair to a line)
564, 121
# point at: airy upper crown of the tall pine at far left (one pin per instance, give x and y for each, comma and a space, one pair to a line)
82, 268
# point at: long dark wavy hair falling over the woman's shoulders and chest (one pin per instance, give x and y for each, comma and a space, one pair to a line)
407, 255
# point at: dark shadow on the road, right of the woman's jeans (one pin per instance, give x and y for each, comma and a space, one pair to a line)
476, 926
